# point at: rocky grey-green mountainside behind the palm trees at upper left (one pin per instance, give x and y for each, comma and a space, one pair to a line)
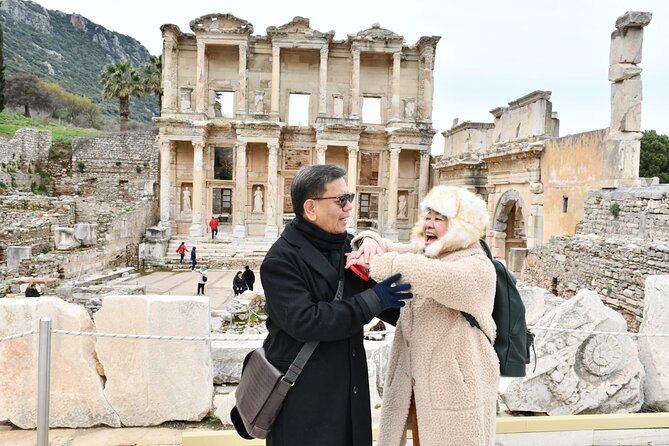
70, 50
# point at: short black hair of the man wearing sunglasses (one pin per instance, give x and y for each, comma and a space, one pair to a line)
310, 182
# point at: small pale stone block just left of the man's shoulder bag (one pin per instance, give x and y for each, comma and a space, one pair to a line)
227, 357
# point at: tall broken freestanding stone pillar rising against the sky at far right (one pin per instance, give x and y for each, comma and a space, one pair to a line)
623, 147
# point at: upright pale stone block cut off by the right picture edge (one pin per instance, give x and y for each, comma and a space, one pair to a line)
654, 351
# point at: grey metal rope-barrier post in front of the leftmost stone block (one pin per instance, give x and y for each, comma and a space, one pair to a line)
43, 378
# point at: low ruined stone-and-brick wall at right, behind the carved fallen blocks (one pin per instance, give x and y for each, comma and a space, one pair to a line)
612, 253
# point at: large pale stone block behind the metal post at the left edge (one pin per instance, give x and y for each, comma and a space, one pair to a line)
77, 398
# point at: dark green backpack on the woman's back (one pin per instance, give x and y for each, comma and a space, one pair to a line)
513, 340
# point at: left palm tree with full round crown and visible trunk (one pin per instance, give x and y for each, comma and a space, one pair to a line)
120, 80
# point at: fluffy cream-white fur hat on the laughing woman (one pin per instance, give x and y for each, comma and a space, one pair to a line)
467, 218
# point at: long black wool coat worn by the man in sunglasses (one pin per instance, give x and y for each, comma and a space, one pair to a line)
329, 403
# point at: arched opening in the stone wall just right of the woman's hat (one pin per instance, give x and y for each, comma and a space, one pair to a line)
509, 227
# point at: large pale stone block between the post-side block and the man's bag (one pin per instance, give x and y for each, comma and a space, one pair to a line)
153, 381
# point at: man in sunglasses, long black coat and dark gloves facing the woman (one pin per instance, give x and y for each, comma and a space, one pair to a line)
329, 403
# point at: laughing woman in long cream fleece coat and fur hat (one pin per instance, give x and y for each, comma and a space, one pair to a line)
447, 366
